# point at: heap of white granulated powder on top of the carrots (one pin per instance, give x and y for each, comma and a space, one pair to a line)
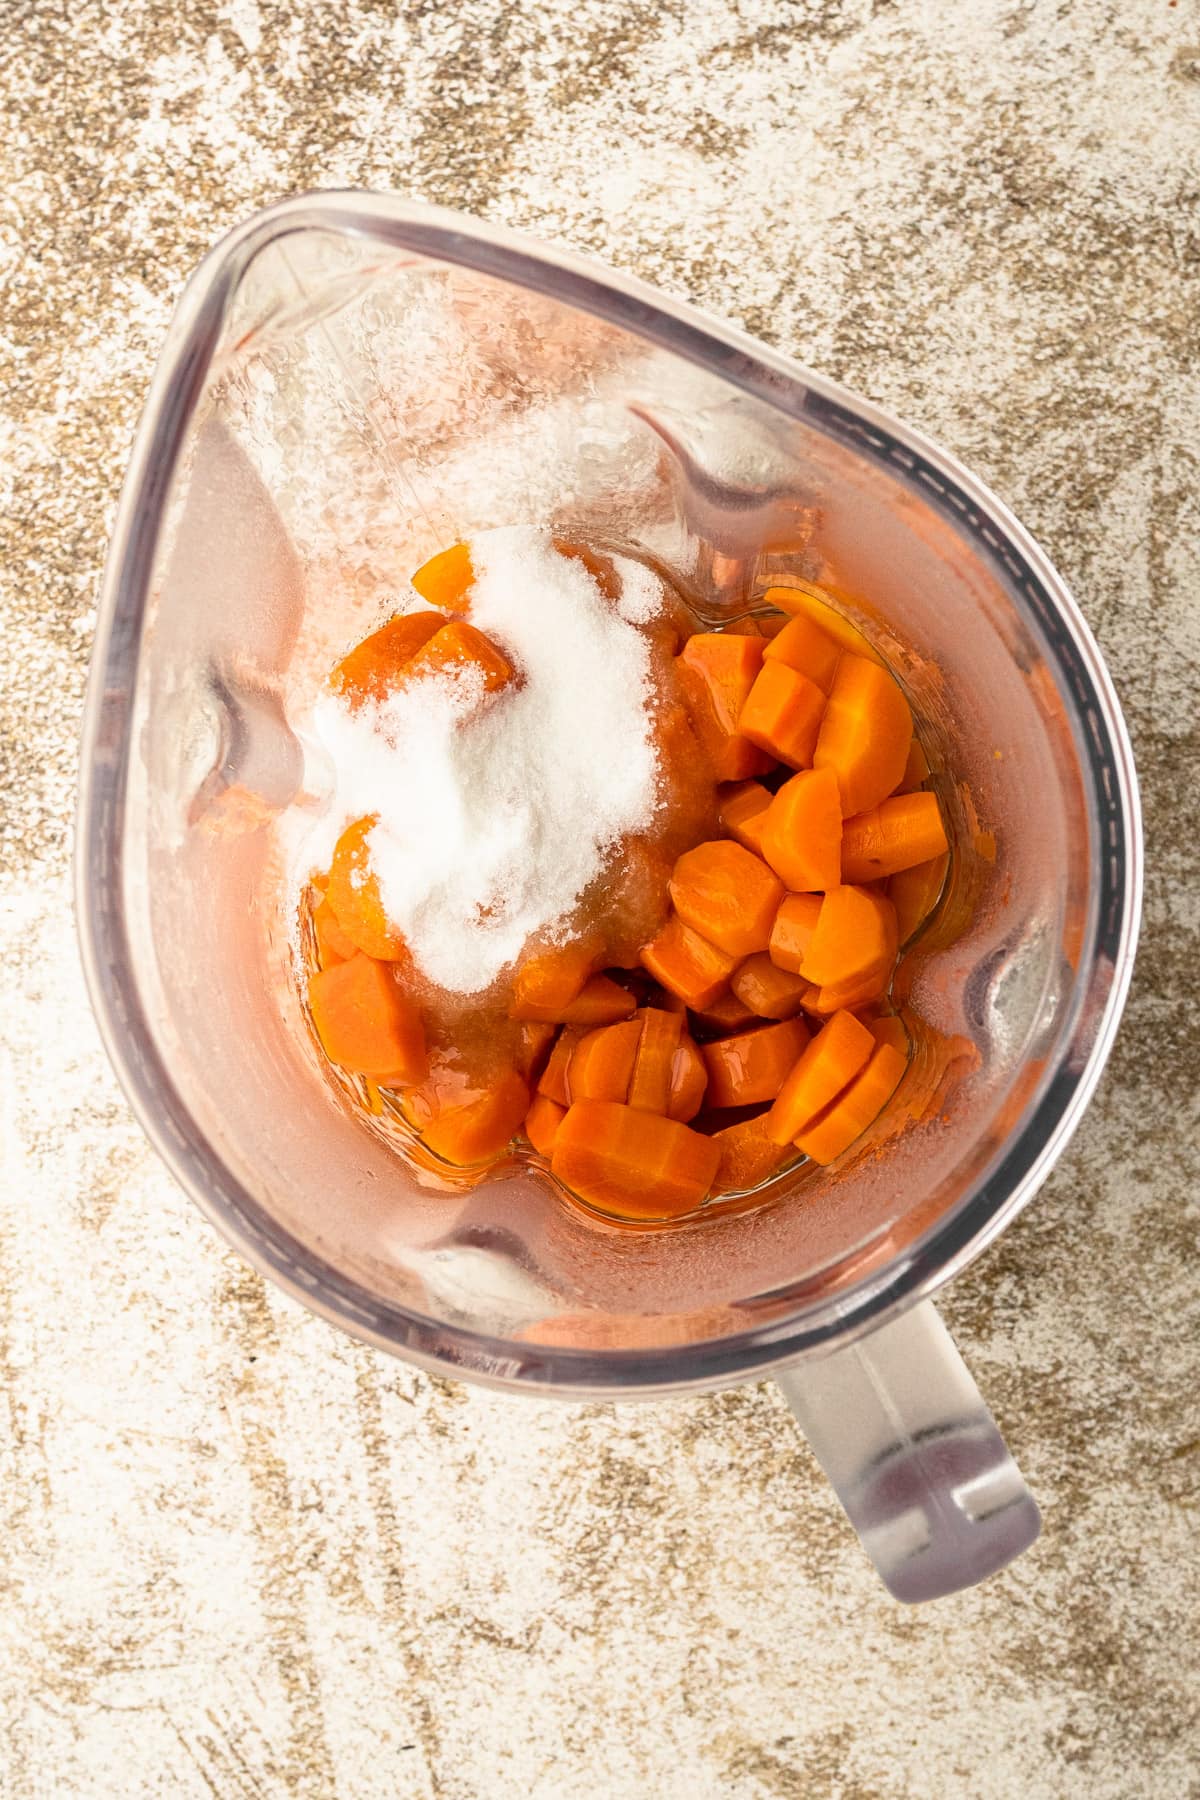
496, 818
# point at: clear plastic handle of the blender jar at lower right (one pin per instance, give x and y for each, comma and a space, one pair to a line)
915, 1457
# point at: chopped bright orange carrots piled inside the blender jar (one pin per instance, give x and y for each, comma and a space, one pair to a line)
758, 1027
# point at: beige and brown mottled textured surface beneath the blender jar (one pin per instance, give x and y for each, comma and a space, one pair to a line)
244, 1556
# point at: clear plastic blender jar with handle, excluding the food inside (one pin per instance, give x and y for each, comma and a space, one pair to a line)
352, 384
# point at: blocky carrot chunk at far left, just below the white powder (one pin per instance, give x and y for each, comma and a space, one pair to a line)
364, 1021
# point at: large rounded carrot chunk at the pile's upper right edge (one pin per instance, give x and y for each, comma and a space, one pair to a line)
866, 733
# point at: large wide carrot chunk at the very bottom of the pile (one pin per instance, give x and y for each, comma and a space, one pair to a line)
636, 1165
